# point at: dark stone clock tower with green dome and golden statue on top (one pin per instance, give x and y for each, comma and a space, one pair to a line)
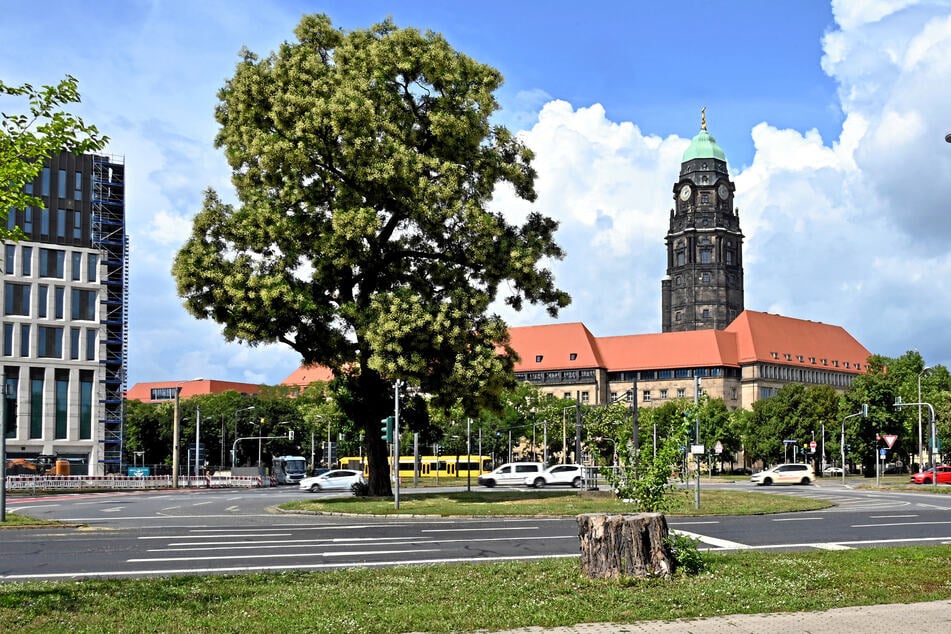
703, 287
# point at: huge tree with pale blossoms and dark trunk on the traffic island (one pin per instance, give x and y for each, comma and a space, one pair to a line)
365, 163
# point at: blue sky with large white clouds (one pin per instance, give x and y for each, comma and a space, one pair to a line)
832, 116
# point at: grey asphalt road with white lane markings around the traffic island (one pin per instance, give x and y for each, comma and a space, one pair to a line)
138, 534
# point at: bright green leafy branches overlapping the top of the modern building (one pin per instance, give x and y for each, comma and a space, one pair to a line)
28, 138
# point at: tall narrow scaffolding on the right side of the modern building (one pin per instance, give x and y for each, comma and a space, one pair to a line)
109, 236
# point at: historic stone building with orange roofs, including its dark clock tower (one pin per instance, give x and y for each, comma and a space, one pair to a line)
739, 355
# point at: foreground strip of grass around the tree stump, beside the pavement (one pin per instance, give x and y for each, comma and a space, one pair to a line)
468, 597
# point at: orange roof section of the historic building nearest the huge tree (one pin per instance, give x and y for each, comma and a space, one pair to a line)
551, 347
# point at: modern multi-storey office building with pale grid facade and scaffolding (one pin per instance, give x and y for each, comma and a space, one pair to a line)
65, 317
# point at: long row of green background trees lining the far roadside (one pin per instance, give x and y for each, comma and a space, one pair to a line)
528, 418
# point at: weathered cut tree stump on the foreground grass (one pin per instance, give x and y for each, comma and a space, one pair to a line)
629, 545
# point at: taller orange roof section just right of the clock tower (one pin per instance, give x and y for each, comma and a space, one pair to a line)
770, 338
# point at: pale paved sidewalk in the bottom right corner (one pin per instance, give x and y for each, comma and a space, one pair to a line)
921, 618
